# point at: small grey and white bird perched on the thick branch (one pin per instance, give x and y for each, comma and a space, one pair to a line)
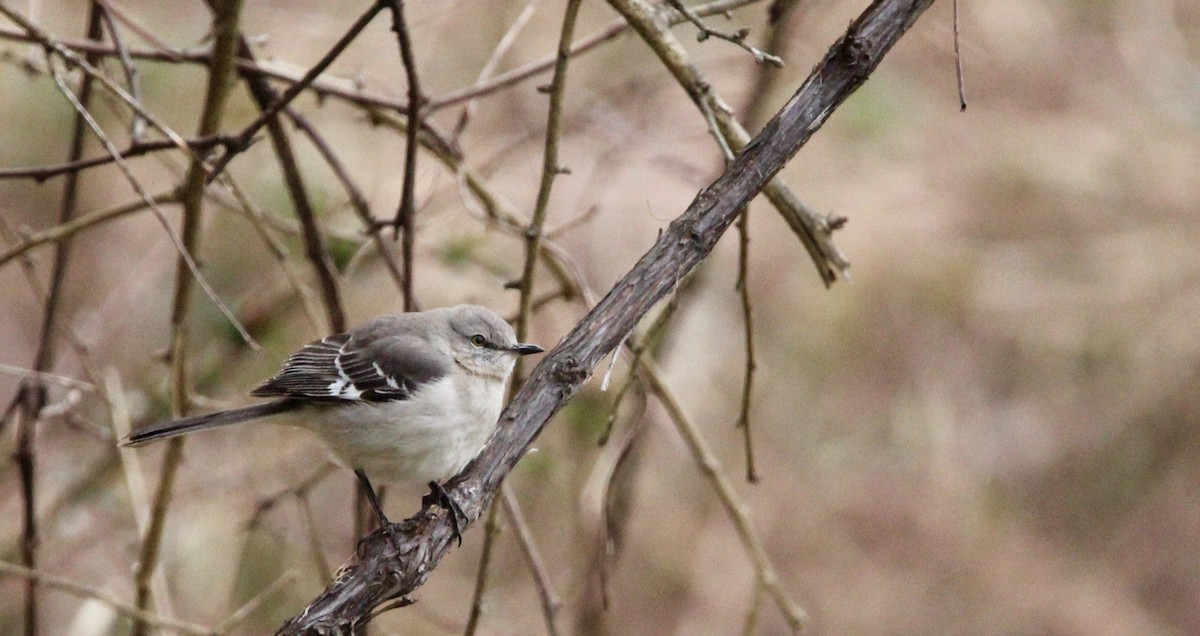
407, 398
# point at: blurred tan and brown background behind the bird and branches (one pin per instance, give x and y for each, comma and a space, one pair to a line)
992, 429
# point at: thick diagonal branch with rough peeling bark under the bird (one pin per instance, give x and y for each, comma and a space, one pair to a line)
381, 573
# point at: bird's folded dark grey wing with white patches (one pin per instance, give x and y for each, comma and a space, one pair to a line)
358, 367
